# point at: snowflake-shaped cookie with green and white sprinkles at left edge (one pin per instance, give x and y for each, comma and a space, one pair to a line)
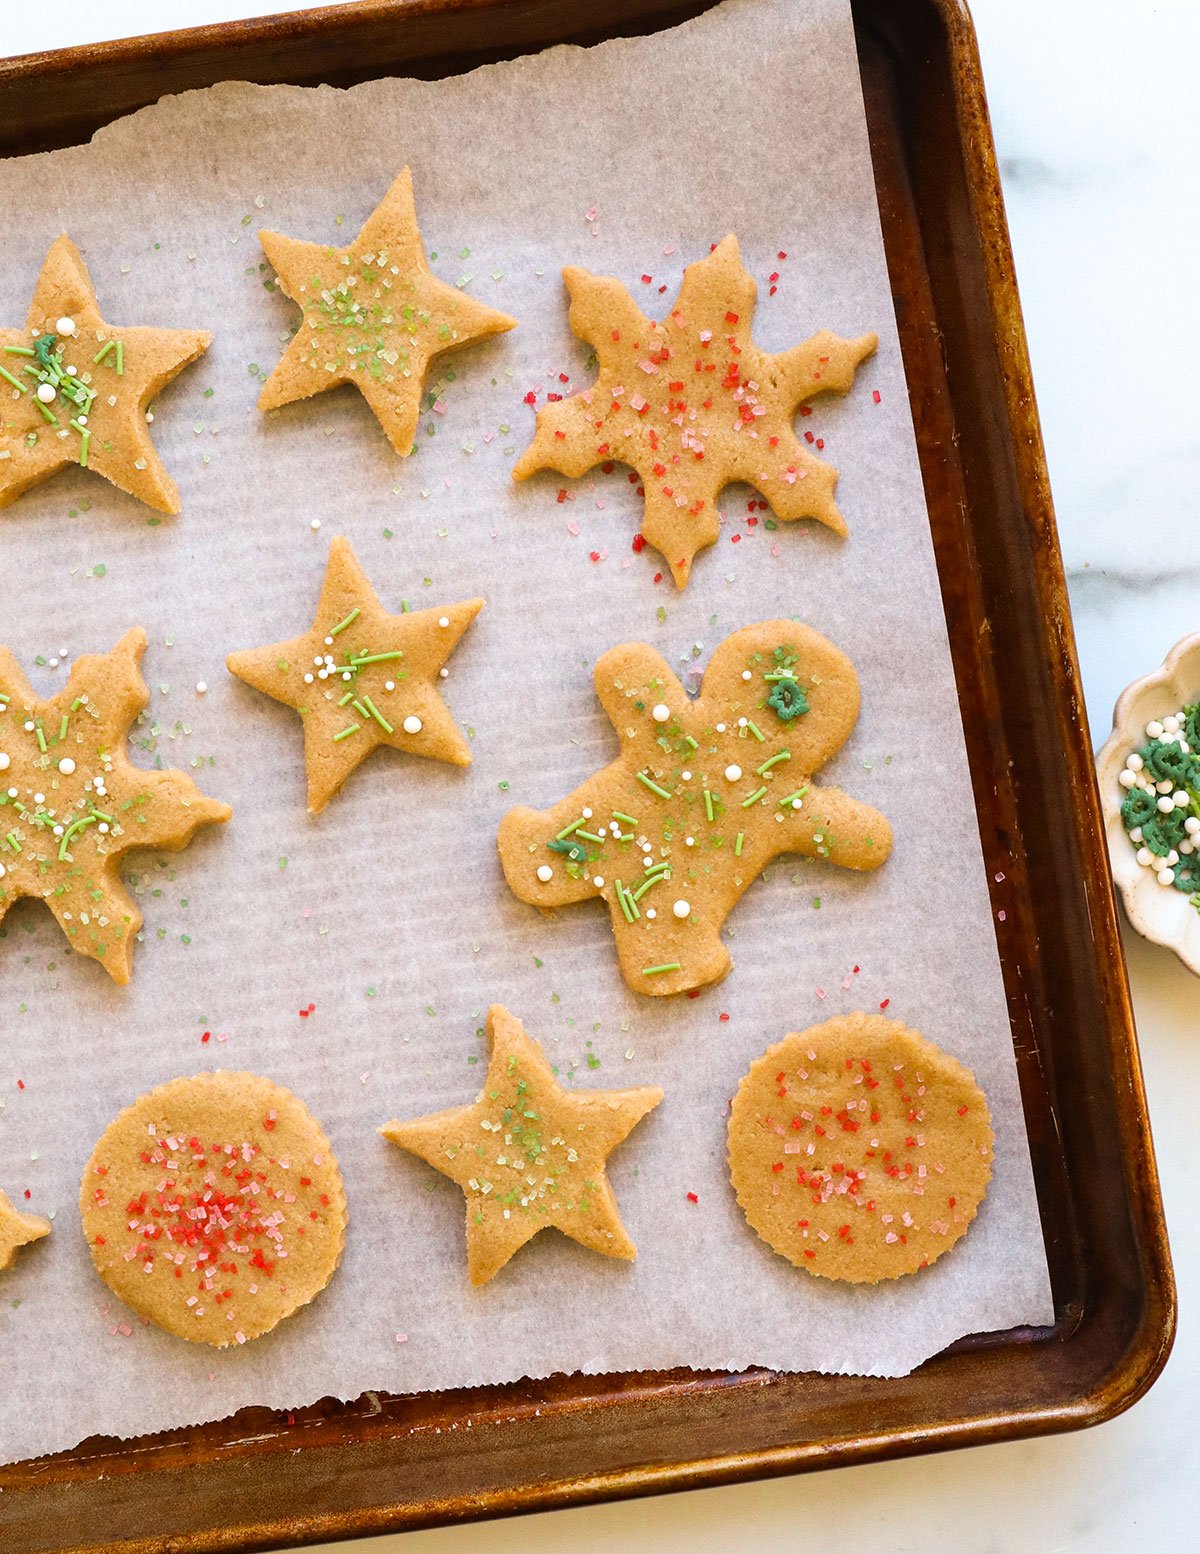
72, 803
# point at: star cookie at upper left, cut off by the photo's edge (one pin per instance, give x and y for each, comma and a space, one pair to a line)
75, 391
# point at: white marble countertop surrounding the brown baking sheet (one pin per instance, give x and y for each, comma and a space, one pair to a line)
1097, 122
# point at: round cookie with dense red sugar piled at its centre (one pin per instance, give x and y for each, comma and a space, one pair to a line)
215, 1207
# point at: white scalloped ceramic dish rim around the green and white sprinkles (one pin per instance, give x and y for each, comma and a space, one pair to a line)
1163, 916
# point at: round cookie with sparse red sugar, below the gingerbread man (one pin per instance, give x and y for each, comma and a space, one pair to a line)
860, 1151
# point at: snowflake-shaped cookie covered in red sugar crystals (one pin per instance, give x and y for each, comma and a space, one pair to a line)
691, 403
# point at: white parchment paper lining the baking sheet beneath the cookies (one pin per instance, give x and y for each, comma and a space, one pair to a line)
388, 915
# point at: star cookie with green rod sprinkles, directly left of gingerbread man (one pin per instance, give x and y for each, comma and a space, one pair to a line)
363, 678
